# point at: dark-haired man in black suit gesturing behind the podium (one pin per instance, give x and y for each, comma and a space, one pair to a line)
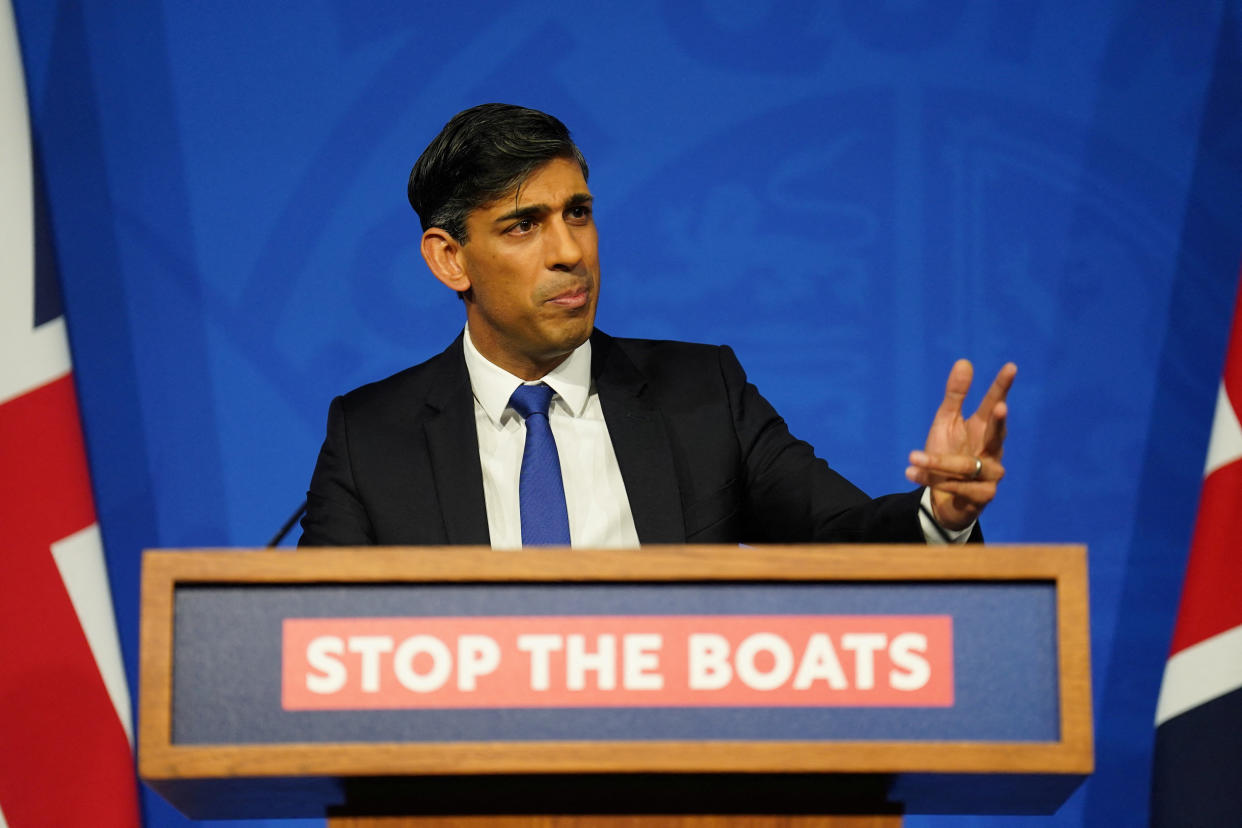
651, 441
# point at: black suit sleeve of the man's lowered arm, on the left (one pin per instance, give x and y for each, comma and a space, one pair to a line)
335, 516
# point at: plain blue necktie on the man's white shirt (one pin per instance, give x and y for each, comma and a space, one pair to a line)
541, 491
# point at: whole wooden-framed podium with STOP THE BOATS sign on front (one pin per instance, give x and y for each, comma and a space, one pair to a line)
690, 686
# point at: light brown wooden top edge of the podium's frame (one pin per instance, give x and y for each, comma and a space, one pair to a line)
653, 563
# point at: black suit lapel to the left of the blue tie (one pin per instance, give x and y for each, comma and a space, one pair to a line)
453, 446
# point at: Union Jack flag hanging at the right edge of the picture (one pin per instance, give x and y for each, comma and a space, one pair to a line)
1198, 762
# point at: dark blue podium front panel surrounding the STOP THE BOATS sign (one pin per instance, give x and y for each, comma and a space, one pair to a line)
227, 682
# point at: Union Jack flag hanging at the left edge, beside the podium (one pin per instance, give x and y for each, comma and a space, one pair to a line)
66, 755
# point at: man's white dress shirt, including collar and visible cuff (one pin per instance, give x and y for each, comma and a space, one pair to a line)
596, 497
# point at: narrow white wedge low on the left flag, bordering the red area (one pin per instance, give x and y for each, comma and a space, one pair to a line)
80, 559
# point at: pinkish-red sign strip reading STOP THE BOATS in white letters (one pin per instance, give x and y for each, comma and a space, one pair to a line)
618, 662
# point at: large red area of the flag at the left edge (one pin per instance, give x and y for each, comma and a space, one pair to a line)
64, 755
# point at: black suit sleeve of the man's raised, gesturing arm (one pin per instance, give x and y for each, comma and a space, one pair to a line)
792, 496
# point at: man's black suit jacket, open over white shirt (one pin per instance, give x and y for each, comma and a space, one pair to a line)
704, 456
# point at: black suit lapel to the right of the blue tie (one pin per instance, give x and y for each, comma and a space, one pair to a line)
640, 443
